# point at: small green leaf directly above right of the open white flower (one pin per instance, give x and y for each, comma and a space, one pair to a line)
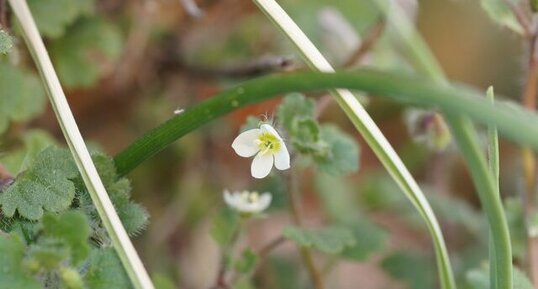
295, 105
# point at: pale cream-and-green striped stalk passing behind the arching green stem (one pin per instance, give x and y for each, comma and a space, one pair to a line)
369, 130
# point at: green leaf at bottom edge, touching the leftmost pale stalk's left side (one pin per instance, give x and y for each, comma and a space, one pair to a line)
106, 271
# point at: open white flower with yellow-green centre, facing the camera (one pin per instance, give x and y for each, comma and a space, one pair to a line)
267, 145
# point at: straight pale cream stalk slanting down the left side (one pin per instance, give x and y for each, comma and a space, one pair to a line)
125, 249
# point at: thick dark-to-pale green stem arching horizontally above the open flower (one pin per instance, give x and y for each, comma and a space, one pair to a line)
405, 89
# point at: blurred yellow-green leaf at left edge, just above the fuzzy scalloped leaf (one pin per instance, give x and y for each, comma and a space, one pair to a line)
34, 141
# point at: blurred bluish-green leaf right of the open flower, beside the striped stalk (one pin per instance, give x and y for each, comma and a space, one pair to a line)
343, 156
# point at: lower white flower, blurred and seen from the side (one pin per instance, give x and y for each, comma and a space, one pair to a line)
247, 202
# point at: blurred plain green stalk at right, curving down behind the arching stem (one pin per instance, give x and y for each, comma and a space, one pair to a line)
468, 143
